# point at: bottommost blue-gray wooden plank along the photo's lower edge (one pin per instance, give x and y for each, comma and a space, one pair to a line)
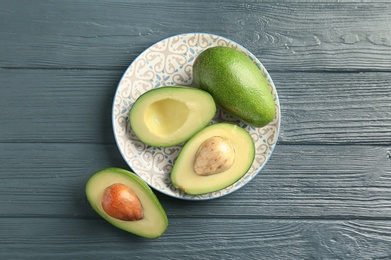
26, 238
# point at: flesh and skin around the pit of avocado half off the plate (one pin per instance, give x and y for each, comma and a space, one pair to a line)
152, 225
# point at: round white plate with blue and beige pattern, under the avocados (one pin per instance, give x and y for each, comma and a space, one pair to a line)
169, 62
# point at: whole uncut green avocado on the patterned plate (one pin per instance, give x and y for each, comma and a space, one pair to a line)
236, 84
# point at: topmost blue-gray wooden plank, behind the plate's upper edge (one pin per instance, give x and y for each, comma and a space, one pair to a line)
109, 34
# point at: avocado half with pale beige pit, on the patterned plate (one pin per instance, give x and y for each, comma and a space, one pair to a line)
213, 159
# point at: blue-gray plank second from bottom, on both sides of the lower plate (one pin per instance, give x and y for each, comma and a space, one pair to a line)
316, 182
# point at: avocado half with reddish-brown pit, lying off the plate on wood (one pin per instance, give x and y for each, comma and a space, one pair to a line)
124, 200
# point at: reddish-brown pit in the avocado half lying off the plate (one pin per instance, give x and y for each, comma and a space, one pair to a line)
120, 202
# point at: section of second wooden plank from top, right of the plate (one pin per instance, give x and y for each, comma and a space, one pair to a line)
335, 107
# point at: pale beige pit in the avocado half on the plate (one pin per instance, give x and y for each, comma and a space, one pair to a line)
215, 155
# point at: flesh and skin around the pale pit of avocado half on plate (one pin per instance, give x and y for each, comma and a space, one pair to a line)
183, 175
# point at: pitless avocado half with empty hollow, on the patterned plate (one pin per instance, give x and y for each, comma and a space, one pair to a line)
168, 116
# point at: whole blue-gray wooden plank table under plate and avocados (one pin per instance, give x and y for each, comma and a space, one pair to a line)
324, 194
